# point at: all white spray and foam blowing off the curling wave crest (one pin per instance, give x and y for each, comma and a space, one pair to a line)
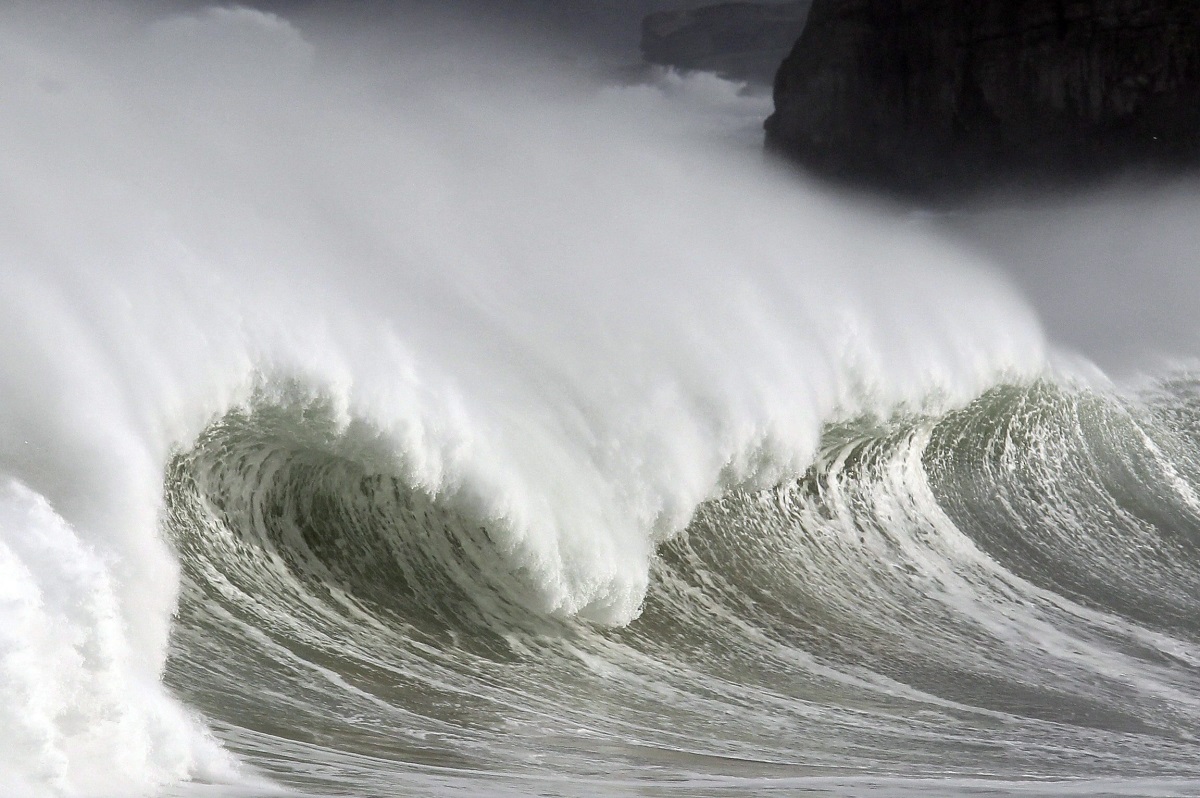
554, 316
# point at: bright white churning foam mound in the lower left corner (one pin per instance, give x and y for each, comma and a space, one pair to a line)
80, 713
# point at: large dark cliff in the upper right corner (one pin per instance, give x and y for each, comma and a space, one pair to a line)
935, 95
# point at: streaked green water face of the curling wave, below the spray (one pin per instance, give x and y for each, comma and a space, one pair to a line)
1007, 591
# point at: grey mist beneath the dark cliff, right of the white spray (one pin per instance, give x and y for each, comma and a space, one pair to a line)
1112, 274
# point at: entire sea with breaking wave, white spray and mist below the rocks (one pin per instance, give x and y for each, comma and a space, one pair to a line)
386, 413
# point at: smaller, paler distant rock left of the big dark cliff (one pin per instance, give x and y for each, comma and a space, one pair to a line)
742, 41
